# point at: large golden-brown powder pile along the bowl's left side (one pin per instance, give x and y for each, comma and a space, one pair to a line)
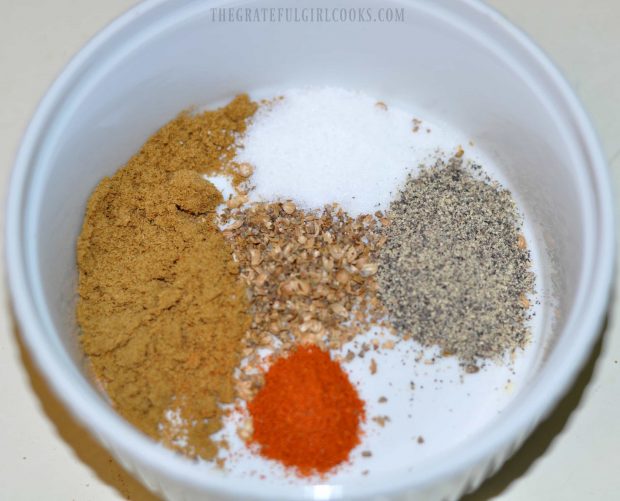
161, 308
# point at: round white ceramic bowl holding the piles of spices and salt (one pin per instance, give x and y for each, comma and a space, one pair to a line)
461, 61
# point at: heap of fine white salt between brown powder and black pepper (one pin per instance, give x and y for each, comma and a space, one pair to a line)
324, 145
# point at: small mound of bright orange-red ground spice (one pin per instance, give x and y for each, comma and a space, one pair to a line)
308, 414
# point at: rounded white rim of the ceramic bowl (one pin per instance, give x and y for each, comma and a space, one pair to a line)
124, 440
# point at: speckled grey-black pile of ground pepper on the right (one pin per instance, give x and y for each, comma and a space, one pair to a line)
454, 271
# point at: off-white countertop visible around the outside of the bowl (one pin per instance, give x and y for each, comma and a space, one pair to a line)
44, 454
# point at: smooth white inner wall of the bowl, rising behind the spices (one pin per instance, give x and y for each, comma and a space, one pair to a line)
447, 60
